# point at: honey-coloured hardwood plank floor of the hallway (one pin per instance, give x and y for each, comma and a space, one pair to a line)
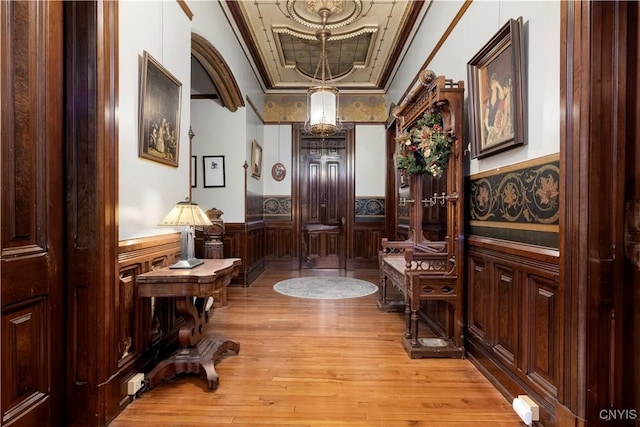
320, 363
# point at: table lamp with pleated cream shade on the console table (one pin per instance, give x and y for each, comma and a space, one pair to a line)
186, 214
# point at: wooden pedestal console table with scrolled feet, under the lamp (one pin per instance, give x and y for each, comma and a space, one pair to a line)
197, 354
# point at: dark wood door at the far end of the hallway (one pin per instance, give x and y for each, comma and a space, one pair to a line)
323, 200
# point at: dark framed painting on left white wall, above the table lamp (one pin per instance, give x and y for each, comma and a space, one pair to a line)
160, 98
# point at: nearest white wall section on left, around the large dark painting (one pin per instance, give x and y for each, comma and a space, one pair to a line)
149, 189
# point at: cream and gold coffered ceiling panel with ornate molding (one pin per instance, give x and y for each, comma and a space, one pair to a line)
368, 40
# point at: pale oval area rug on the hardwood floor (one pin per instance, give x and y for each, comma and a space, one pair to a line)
320, 287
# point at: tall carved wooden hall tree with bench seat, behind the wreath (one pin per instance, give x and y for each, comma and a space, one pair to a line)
427, 267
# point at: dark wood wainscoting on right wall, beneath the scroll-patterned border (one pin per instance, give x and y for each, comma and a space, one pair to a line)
513, 317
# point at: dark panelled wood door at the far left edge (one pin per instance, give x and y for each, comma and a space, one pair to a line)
31, 337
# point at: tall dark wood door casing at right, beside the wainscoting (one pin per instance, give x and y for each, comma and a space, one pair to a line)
596, 108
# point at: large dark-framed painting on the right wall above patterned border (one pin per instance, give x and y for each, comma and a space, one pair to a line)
498, 98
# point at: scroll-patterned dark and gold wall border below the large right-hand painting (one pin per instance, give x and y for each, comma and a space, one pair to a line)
519, 202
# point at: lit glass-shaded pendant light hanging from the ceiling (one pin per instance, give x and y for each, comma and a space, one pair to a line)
323, 98
